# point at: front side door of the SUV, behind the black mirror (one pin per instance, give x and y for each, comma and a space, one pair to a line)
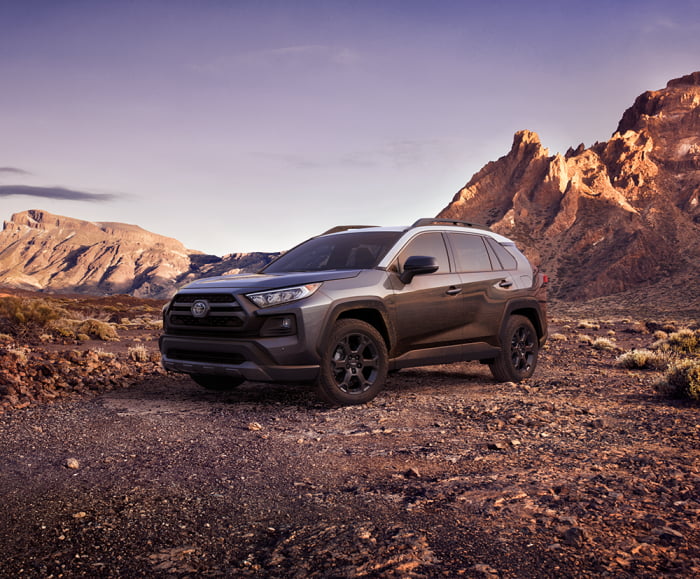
428, 311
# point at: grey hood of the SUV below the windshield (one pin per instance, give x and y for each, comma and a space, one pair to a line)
261, 281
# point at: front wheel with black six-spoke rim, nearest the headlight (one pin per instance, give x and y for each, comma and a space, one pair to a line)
354, 364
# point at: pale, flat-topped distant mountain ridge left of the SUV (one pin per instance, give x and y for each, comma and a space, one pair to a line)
42, 251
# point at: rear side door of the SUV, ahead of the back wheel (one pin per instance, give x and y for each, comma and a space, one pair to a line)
485, 285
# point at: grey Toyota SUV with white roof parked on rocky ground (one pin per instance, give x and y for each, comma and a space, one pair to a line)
345, 308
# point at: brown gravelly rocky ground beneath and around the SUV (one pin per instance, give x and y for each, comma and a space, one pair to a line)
116, 469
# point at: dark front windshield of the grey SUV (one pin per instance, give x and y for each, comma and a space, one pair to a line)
360, 250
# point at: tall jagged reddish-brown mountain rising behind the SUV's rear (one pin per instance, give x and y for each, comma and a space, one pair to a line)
620, 215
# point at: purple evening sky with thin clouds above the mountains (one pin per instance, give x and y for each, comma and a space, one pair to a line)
238, 126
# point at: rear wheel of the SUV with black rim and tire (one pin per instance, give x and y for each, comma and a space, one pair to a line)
519, 351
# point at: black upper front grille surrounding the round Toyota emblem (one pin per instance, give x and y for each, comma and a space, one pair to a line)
225, 313
